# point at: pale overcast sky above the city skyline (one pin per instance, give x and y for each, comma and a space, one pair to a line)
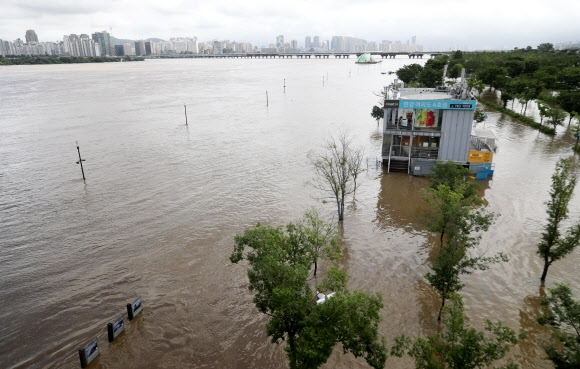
437, 24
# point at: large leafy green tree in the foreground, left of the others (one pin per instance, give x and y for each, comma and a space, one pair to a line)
280, 261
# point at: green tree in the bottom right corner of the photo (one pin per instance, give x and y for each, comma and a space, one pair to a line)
562, 312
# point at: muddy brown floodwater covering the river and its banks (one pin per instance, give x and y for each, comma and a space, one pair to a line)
163, 201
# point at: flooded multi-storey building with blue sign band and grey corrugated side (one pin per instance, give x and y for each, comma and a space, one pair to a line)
423, 125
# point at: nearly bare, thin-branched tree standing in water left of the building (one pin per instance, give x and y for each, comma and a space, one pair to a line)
337, 168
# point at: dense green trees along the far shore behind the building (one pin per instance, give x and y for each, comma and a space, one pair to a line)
541, 74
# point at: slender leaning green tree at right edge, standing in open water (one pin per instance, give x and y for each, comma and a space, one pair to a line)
554, 246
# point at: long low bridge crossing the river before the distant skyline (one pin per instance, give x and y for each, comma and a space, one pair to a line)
315, 55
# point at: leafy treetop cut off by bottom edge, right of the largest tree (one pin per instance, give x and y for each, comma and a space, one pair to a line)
458, 347
